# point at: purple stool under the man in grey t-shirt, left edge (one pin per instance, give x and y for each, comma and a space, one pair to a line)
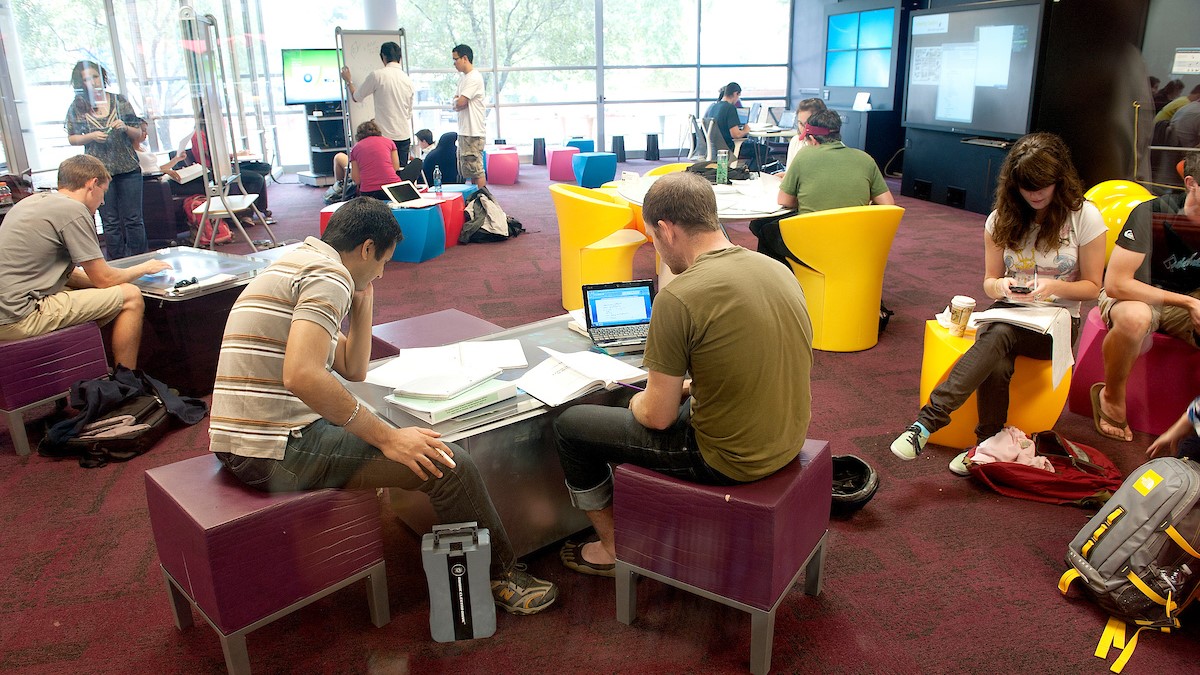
39, 371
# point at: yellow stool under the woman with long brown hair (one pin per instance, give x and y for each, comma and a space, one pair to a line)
1034, 403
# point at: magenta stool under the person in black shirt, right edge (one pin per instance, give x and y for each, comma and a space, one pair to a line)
1161, 387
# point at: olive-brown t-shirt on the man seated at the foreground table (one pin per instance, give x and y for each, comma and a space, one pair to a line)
737, 322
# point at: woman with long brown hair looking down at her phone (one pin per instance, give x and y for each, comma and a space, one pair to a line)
1045, 234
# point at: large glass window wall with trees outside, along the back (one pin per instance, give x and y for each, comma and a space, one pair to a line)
549, 71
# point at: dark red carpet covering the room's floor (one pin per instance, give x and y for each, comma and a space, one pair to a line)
935, 576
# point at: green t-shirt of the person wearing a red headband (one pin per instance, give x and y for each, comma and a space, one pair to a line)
832, 177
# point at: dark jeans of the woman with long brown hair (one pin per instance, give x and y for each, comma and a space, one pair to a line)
987, 368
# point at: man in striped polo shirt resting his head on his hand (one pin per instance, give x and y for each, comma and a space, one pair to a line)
281, 422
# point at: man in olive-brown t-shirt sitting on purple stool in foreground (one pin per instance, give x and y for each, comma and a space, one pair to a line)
746, 410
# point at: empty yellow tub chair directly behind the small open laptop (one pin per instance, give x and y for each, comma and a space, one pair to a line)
596, 244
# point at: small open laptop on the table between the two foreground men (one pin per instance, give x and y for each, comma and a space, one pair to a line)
619, 314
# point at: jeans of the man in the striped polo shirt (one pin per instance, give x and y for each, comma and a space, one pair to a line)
326, 456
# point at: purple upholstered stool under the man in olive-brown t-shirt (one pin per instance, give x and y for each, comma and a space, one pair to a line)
741, 546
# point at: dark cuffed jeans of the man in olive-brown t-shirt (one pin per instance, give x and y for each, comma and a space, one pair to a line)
592, 438
